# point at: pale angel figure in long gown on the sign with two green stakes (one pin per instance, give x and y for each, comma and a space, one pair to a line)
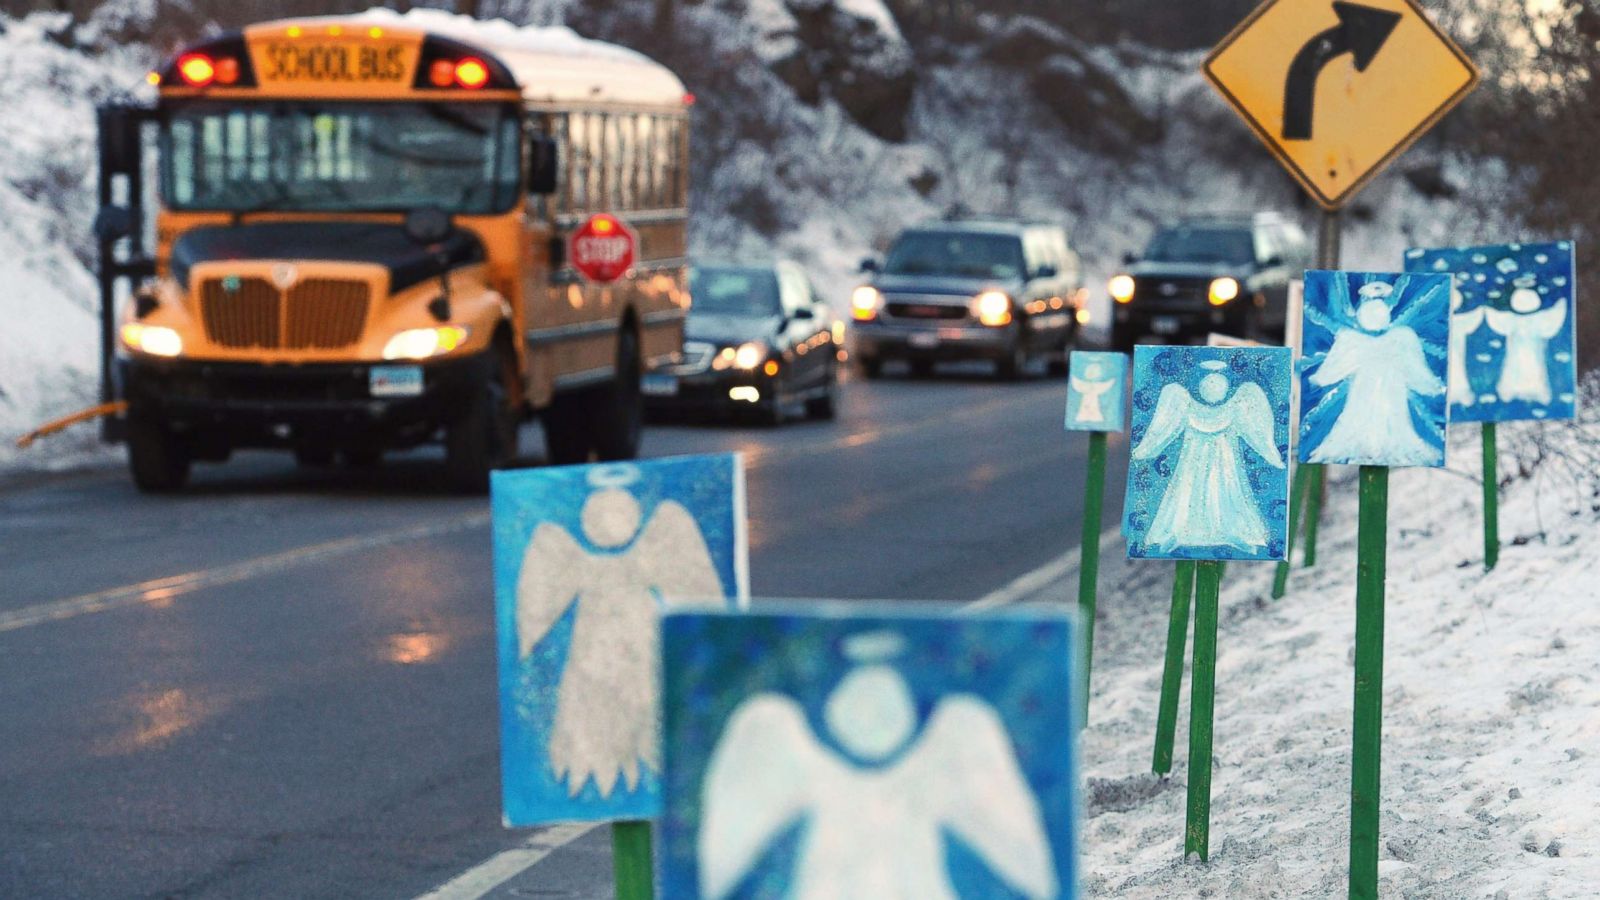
1209, 500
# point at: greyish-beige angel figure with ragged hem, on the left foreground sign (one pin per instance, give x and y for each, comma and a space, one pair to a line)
607, 720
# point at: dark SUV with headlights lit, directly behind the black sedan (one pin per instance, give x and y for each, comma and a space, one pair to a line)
996, 291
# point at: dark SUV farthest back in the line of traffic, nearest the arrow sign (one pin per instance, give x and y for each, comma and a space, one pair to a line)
1210, 275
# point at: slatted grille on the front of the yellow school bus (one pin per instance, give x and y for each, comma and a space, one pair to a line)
313, 315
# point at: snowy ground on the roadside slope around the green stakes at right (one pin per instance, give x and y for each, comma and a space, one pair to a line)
1492, 701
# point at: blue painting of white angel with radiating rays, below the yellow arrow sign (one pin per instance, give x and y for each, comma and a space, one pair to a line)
1374, 369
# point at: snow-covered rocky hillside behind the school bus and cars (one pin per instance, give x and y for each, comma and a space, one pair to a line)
820, 134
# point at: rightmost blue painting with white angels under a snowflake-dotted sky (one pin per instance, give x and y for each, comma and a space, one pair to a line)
1513, 337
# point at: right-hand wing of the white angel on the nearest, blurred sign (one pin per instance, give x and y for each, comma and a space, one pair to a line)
977, 787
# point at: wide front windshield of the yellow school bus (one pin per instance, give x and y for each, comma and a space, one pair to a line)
318, 156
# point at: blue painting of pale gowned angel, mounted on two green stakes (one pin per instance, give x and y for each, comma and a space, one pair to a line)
1209, 472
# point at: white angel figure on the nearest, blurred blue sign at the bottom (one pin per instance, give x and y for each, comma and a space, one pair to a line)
876, 830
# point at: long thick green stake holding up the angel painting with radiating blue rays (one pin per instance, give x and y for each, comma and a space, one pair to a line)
1366, 753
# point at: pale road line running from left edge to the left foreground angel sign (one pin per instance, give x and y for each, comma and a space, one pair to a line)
162, 590
